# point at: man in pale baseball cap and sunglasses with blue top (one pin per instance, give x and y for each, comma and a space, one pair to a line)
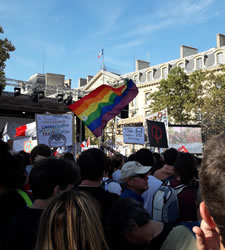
134, 177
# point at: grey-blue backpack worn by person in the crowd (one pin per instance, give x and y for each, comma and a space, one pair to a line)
165, 205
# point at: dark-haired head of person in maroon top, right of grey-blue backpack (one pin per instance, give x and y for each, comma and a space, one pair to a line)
185, 167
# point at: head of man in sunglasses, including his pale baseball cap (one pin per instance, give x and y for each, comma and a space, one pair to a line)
135, 176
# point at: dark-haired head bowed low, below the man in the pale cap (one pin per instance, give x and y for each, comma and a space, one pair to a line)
129, 221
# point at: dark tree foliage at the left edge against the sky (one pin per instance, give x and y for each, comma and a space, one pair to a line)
5, 48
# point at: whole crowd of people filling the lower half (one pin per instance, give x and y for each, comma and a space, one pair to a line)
98, 201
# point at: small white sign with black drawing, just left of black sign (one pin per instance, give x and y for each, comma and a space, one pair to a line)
133, 135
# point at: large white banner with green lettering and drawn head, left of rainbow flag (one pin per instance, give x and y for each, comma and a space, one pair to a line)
55, 130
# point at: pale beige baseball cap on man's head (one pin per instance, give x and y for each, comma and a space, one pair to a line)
131, 168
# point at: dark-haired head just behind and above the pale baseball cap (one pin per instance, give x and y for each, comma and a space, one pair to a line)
145, 157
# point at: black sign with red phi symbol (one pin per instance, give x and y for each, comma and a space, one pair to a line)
157, 134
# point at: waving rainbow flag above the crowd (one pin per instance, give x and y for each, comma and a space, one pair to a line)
103, 104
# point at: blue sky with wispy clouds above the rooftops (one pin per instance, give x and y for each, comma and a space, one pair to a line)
68, 35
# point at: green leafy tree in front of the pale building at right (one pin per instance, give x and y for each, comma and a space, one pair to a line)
198, 98
